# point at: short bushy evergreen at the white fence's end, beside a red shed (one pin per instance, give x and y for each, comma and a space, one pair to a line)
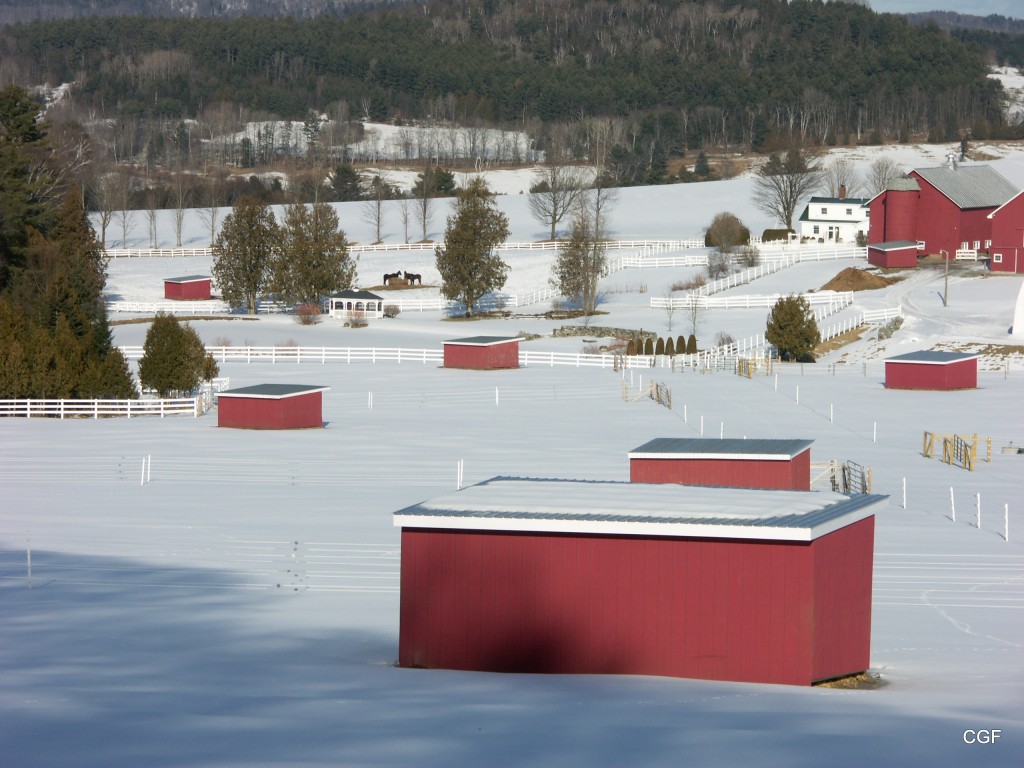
174, 358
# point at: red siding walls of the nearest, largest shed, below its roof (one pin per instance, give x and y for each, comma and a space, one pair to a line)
721, 610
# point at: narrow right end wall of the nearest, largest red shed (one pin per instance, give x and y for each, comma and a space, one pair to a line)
842, 578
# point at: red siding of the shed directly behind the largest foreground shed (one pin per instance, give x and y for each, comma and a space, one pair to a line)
742, 474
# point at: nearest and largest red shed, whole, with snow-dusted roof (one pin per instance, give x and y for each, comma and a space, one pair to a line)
627, 579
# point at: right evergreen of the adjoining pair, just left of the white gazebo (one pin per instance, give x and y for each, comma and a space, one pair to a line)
314, 260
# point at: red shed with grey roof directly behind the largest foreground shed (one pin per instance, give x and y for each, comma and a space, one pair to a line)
735, 463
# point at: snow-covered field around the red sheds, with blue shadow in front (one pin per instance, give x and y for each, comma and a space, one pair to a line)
241, 608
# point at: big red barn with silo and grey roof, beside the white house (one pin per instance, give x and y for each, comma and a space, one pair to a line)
947, 208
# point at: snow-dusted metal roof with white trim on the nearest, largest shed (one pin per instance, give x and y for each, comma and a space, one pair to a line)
641, 509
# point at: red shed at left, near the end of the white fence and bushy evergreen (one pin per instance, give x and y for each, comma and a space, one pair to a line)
272, 407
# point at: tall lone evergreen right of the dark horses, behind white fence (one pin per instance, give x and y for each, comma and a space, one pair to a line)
468, 263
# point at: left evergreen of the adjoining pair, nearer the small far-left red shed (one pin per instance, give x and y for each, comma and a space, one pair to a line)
244, 251
